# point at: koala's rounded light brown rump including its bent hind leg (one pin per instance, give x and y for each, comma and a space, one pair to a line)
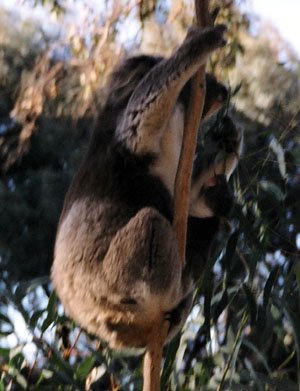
111, 274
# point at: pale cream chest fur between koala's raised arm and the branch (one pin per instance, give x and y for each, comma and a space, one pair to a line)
165, 166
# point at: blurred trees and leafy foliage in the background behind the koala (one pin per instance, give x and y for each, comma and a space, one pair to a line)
244, 330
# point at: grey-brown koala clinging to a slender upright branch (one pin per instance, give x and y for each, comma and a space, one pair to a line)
116, 267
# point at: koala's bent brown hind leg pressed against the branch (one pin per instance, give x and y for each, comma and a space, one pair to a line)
142, 267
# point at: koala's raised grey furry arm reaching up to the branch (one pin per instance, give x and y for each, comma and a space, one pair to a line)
151, 104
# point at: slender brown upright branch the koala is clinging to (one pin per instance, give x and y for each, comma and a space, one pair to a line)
153, 355
